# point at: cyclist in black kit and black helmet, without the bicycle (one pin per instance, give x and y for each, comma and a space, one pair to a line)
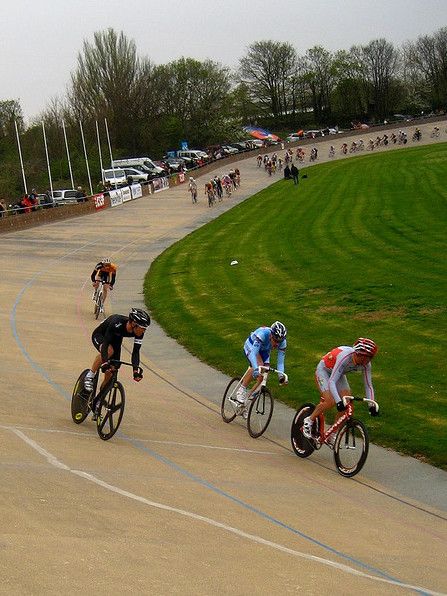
108, 337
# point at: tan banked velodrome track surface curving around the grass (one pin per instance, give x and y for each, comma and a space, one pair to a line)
178, 502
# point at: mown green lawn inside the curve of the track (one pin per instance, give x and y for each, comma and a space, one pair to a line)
357, 249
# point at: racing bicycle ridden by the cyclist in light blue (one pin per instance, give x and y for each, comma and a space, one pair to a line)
258, 408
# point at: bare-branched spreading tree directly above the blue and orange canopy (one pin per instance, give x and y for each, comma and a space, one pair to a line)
269, 70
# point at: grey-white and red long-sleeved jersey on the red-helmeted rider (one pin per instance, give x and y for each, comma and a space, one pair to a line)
331, 370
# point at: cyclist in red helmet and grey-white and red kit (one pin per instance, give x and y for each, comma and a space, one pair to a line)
330, 377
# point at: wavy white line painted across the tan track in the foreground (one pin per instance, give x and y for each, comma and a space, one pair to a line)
207, 520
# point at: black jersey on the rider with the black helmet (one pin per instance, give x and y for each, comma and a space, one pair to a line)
111, 333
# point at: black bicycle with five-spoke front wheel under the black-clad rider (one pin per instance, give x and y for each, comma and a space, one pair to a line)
107, 405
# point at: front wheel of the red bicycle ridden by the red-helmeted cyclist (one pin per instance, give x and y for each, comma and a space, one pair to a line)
351, 448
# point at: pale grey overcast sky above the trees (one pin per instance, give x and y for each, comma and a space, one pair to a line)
41, 38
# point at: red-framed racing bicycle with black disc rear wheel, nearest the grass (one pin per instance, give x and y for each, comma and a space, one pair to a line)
347, 437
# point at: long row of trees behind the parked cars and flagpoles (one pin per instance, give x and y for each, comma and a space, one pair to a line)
151, 108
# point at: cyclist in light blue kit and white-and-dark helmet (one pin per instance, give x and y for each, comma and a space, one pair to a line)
257, 349
